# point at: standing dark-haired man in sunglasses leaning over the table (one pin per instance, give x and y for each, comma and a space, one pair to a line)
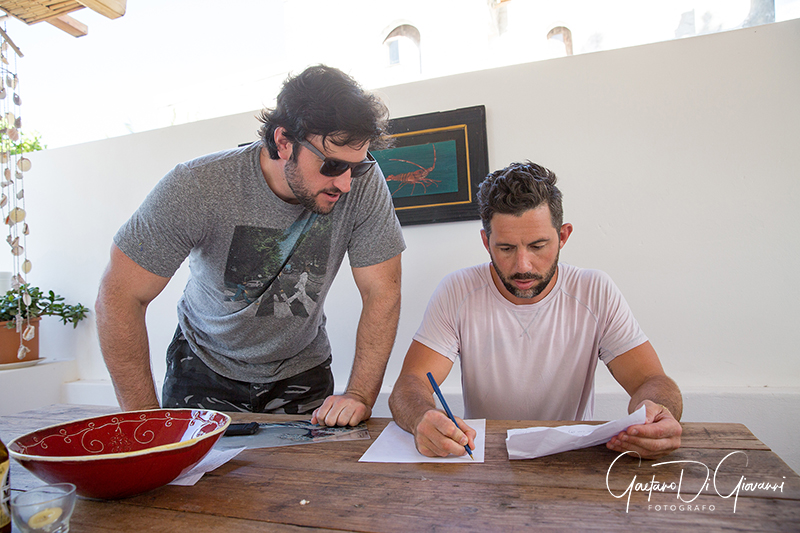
266, 227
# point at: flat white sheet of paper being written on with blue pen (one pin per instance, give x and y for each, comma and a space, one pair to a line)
395, 445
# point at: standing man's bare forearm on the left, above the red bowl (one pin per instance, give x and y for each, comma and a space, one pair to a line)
123, 341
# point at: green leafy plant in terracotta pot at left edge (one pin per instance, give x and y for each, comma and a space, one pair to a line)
20, 312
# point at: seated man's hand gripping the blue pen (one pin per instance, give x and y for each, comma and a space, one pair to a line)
436, 436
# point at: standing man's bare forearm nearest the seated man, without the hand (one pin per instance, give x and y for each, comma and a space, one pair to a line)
375, 337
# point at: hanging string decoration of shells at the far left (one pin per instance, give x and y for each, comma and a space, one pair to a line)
13, 166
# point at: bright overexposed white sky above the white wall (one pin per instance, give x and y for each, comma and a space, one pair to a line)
168, 62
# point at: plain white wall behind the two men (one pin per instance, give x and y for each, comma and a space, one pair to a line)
679, 167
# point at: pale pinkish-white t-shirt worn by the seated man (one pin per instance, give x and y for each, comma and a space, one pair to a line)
535, 361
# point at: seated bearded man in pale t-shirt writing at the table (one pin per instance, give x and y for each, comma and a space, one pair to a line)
528, 331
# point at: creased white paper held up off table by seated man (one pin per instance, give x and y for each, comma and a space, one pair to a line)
534, 442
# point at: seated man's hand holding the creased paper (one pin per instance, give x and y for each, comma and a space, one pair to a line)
659, 435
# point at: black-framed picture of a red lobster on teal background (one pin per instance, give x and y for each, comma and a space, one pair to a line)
436, 164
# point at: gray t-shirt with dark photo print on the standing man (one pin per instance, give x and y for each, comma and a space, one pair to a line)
252, 309
